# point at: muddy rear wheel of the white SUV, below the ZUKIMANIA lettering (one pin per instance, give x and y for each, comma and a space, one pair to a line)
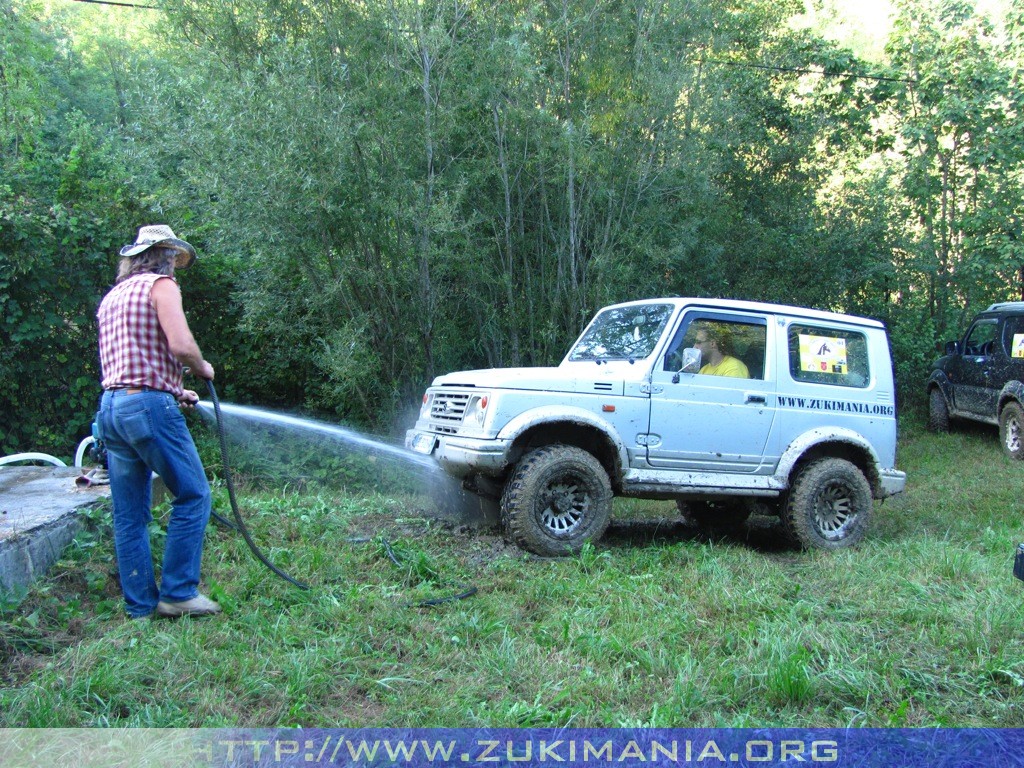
829, 506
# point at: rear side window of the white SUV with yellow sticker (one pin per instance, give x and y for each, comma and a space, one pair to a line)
829, 356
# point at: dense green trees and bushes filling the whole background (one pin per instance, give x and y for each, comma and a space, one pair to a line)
386, 190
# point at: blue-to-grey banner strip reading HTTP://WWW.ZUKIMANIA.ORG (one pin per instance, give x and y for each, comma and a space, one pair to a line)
548, 748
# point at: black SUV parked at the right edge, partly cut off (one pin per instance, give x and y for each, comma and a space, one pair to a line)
983, 377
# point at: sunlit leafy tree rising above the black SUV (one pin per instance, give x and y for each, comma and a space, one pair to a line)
958, 141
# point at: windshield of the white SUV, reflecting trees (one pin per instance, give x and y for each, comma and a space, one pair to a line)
623, 333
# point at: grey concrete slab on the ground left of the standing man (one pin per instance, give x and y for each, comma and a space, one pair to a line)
39, 519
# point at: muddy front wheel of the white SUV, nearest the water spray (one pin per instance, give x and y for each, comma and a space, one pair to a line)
558, 499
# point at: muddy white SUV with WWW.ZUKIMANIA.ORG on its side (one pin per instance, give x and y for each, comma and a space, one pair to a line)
728, 407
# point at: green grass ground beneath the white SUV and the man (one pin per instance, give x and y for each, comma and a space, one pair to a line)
656, 626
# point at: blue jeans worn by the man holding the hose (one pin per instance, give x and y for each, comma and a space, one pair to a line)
146, 433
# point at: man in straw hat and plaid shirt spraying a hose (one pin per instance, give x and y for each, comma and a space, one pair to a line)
145, 347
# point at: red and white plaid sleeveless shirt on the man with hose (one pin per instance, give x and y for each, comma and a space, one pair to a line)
134, 349
